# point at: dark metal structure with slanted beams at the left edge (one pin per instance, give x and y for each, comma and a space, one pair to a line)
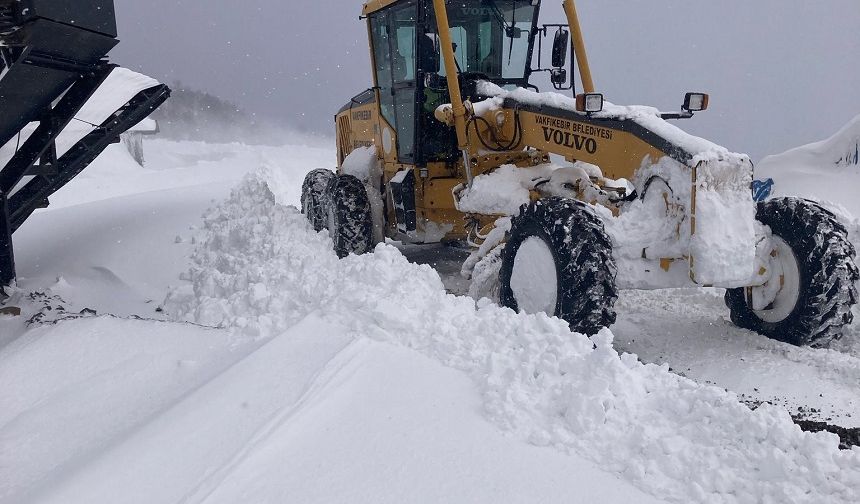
52, 61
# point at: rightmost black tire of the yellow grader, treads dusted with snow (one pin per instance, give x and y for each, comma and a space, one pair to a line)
818, 285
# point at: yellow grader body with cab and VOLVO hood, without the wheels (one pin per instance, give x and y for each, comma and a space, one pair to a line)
408, 105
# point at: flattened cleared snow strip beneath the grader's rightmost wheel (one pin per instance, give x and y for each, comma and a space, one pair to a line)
689, 330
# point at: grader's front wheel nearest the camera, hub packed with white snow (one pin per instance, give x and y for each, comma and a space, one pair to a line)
558, 260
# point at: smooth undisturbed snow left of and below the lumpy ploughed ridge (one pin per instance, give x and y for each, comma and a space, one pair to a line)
108, 409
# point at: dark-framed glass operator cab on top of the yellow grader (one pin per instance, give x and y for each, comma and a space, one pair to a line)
493, 40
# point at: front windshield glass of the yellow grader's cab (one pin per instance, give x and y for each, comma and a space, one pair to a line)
492, 37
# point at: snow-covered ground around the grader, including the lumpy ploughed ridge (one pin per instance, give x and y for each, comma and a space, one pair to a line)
341, 381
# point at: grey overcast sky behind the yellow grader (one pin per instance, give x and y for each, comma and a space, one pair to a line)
780, 72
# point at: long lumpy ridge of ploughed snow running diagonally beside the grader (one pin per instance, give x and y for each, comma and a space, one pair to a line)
261, 269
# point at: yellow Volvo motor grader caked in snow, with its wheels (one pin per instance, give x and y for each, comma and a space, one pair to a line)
563, 199
